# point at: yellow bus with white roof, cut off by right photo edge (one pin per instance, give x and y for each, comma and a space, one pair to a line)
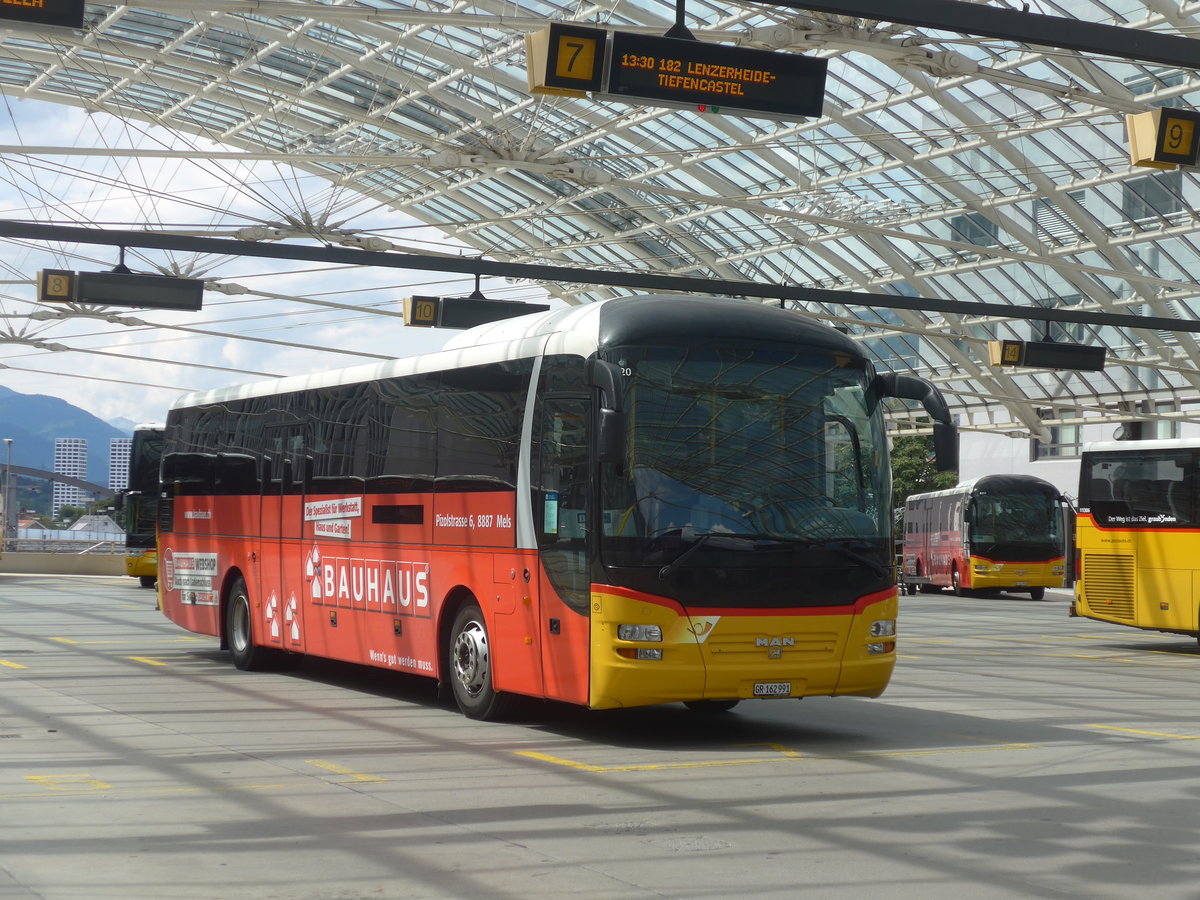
1137, 535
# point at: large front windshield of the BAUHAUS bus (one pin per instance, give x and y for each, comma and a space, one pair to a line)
747, 449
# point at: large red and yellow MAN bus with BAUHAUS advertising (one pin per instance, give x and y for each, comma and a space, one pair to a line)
643, 501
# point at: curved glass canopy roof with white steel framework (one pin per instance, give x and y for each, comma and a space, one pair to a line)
945, 167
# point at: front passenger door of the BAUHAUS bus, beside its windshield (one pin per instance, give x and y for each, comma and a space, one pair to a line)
562, 494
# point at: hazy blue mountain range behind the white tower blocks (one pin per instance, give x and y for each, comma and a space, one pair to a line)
34, 422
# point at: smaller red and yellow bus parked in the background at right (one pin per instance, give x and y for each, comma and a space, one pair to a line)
992, 533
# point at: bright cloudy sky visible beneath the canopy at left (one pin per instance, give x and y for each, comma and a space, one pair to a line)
281, 317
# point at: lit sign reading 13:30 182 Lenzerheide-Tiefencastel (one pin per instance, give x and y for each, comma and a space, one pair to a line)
693, 74
